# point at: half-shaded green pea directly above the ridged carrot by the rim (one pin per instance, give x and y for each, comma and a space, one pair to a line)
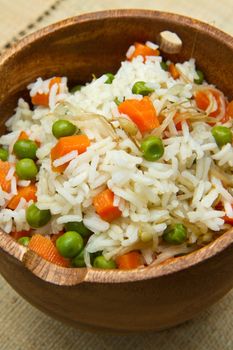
36, 217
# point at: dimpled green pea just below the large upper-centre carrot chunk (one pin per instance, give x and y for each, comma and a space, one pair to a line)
152, 148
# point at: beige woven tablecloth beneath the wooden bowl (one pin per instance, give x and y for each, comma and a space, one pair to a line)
22, 327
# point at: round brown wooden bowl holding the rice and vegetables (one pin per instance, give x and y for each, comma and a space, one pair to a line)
151, 298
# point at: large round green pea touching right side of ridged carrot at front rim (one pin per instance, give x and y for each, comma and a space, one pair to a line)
70, 244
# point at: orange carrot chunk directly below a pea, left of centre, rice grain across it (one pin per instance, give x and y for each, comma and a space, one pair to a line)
66, 145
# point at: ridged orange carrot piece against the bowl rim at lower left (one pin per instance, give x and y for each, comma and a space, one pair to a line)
45, 248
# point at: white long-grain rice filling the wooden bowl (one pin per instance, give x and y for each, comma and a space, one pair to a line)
183, 186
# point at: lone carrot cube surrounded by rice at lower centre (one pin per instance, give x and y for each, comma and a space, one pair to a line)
103, 203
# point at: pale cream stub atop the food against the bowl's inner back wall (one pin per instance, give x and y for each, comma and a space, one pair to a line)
170, 42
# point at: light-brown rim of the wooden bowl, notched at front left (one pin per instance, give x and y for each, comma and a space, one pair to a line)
73, 276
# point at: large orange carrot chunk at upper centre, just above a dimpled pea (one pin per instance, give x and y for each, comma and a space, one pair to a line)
142, 113
